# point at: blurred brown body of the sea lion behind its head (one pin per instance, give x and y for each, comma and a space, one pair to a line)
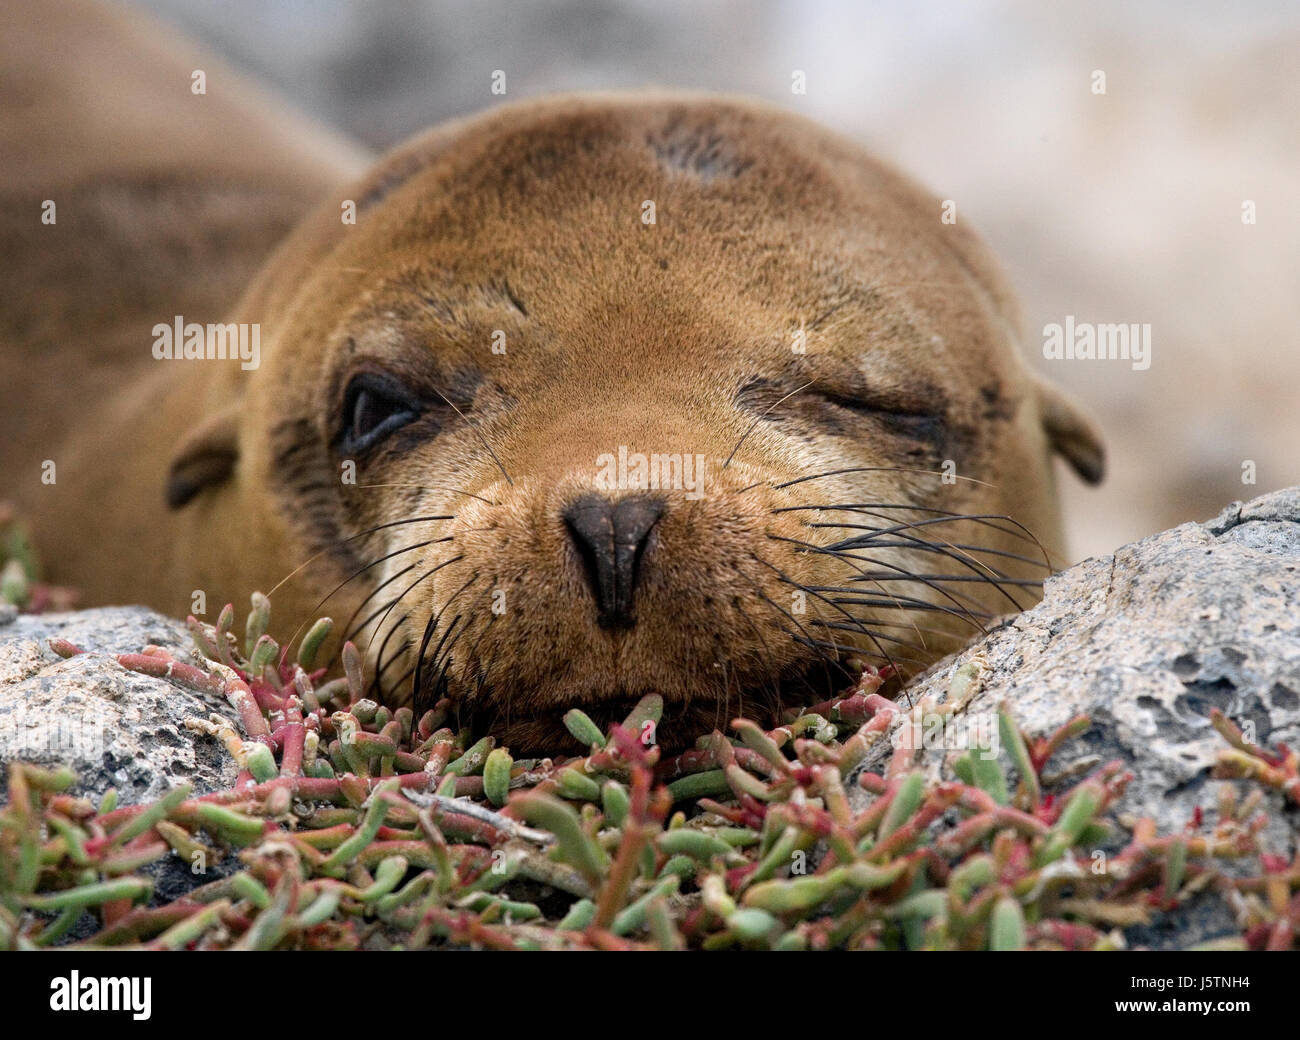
166, 203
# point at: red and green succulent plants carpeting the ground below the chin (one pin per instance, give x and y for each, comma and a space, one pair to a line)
357, 826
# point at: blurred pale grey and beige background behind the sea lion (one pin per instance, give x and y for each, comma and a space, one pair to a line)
1124, 207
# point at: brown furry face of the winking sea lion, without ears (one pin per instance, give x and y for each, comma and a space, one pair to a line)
648, 396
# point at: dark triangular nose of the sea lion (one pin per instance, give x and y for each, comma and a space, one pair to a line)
612, 538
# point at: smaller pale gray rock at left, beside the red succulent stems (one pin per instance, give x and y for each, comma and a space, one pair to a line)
116, 729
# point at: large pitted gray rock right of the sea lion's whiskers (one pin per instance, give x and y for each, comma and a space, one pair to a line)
1146, 643
